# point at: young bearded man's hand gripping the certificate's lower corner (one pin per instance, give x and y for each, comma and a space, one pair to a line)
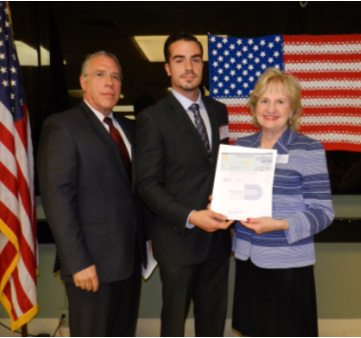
209, 220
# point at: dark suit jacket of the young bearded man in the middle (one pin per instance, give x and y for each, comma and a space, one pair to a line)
175, 177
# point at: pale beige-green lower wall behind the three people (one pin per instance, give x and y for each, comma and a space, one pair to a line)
337, 271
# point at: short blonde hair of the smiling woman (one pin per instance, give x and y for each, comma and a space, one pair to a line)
293, 92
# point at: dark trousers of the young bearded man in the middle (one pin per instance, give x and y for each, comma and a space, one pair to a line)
207, 285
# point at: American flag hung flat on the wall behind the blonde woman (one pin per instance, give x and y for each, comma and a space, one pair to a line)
329, 70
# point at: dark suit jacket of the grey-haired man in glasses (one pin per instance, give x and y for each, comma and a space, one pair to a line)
89, 202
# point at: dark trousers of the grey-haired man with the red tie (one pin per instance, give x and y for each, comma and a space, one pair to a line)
112, 311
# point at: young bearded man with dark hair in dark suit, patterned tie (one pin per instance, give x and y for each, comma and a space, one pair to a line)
176, 147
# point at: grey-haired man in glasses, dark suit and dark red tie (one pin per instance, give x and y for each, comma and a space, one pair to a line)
86, 182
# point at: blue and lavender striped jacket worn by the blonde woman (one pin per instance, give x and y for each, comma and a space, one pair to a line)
301, 196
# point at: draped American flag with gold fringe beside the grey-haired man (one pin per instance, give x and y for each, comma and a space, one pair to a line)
17, 206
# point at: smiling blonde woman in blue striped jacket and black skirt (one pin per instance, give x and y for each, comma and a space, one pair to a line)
275, 289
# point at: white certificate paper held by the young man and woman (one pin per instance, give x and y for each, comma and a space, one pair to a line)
244, 182
